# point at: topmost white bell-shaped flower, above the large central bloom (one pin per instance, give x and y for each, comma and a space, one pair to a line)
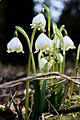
39, 20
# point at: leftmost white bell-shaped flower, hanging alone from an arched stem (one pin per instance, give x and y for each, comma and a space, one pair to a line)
15, 45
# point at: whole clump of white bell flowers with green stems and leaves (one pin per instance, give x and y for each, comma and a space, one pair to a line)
51, 51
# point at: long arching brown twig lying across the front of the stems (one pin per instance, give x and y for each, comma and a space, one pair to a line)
39, 75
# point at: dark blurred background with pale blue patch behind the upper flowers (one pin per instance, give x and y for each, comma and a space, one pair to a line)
21, 13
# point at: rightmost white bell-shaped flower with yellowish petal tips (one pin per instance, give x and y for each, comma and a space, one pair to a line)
69, 44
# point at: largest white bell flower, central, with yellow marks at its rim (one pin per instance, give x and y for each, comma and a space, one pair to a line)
43, 43
